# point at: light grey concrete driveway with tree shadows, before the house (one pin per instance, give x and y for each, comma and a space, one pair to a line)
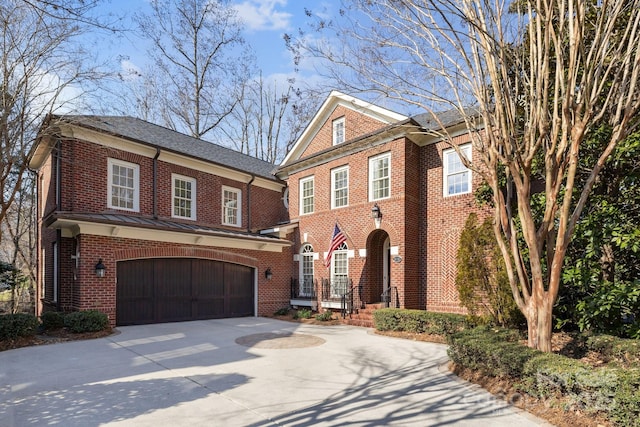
242, 372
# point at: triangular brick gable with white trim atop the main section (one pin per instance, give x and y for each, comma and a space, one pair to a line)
360, 117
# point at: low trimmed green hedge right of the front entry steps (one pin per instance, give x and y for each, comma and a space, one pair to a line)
419, 321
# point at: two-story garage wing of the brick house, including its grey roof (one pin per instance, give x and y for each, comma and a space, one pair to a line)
171, 218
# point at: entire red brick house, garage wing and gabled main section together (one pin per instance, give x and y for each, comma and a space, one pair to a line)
186, 229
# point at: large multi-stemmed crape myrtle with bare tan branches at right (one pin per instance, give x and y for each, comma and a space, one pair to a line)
530, 79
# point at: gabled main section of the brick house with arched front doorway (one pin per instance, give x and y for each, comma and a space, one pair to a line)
354, 161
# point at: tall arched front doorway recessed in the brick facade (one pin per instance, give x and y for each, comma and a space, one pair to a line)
379, 266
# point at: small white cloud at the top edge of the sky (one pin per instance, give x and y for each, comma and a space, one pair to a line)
263, 14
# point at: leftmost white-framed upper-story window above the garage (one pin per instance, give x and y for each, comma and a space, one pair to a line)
124, 185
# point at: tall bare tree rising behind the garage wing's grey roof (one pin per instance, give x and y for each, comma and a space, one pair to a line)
197, 49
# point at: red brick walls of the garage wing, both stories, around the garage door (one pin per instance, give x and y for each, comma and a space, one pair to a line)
84, 189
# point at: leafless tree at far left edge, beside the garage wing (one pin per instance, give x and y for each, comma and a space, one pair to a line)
44, 69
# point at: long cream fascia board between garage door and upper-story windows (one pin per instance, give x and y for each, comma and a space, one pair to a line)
72, 228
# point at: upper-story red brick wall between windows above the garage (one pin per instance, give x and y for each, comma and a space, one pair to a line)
85, 186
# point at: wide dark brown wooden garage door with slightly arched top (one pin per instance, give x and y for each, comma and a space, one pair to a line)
177, 289
